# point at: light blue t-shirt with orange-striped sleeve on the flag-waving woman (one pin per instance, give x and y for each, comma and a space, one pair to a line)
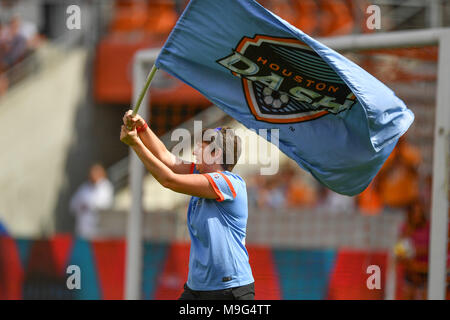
218, 258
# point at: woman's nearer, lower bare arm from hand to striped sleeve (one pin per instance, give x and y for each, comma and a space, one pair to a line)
191, 184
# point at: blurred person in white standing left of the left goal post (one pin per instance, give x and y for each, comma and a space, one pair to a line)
93, 195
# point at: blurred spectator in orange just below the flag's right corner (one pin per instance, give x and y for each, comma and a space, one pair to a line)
398, 180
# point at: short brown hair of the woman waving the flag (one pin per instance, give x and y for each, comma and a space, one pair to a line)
224, 138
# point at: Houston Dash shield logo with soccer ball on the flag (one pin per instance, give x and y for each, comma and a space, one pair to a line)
285, 81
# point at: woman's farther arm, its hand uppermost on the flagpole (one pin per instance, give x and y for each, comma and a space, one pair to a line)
156, 146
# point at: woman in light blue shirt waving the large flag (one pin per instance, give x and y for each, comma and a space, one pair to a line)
217, 215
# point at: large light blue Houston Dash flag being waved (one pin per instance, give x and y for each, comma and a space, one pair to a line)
336, 120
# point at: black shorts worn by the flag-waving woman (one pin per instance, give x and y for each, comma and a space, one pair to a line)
246, 292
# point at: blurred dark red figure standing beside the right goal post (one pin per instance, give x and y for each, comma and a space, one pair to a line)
412, 252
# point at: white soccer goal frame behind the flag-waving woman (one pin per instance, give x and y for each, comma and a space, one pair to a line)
440, 38
